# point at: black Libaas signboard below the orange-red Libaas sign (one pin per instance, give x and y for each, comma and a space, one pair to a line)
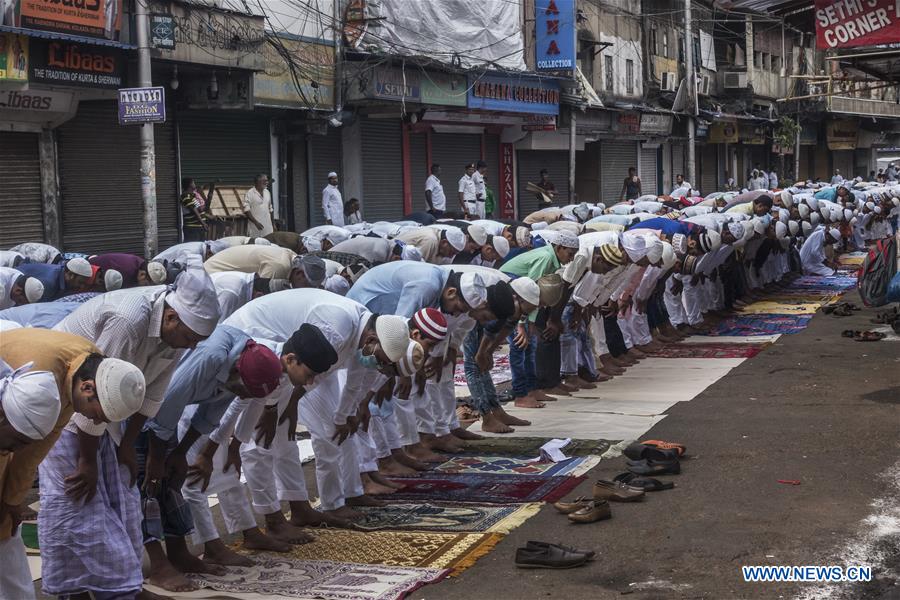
61, 62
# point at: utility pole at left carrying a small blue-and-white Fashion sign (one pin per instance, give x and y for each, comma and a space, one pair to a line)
148, 150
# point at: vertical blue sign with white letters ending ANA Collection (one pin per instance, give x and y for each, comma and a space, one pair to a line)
554, 29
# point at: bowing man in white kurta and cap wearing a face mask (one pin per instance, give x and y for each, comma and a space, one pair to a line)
329, 409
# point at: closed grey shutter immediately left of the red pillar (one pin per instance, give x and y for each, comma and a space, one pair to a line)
382, 168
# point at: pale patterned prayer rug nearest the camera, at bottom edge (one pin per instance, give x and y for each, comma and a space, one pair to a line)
274, 576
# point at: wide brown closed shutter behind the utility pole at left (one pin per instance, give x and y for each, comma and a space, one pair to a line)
99, 172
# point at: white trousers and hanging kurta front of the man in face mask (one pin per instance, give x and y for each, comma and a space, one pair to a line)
337, 466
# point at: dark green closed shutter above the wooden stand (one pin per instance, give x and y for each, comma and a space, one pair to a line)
230, 147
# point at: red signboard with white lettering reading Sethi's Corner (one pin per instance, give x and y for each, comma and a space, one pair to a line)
850, 23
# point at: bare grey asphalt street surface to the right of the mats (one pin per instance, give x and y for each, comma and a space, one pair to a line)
813, 407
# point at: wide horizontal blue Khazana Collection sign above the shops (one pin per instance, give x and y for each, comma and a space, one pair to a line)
513, 93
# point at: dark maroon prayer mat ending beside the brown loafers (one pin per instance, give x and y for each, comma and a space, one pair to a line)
480, 487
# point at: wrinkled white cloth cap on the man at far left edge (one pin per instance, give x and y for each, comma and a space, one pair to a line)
30, 400
